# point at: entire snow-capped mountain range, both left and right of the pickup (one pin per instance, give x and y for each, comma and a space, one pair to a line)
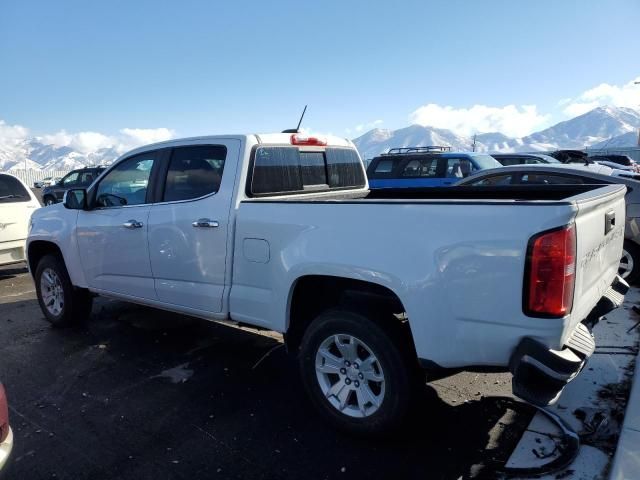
600, 127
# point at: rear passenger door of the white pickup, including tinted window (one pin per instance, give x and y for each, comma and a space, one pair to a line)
189, 226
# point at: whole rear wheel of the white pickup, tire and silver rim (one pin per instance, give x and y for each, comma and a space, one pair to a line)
355, 373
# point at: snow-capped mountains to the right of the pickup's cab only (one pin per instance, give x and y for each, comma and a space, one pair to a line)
615, 124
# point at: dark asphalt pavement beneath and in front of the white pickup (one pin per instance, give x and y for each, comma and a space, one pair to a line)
138, 393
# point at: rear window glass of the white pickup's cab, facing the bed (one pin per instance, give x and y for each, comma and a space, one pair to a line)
281, 170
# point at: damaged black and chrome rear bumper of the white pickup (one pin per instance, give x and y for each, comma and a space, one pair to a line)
540, 373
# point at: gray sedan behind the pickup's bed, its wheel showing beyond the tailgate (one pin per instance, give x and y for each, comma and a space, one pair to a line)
572, 174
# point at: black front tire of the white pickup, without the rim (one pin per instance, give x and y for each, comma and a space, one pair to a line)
77, 302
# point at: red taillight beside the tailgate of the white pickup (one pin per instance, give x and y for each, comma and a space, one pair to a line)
550, 273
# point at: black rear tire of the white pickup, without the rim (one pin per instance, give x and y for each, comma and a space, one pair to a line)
397, 369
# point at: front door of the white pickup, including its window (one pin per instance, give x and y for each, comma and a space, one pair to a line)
113, 235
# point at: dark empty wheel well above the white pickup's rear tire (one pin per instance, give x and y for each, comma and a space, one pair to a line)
314, 294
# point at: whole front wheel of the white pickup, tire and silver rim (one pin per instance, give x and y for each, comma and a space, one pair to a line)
61, 303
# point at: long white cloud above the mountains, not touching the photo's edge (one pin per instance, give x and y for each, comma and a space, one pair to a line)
511, 120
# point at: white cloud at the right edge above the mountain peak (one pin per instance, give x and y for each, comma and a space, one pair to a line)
627, 95
